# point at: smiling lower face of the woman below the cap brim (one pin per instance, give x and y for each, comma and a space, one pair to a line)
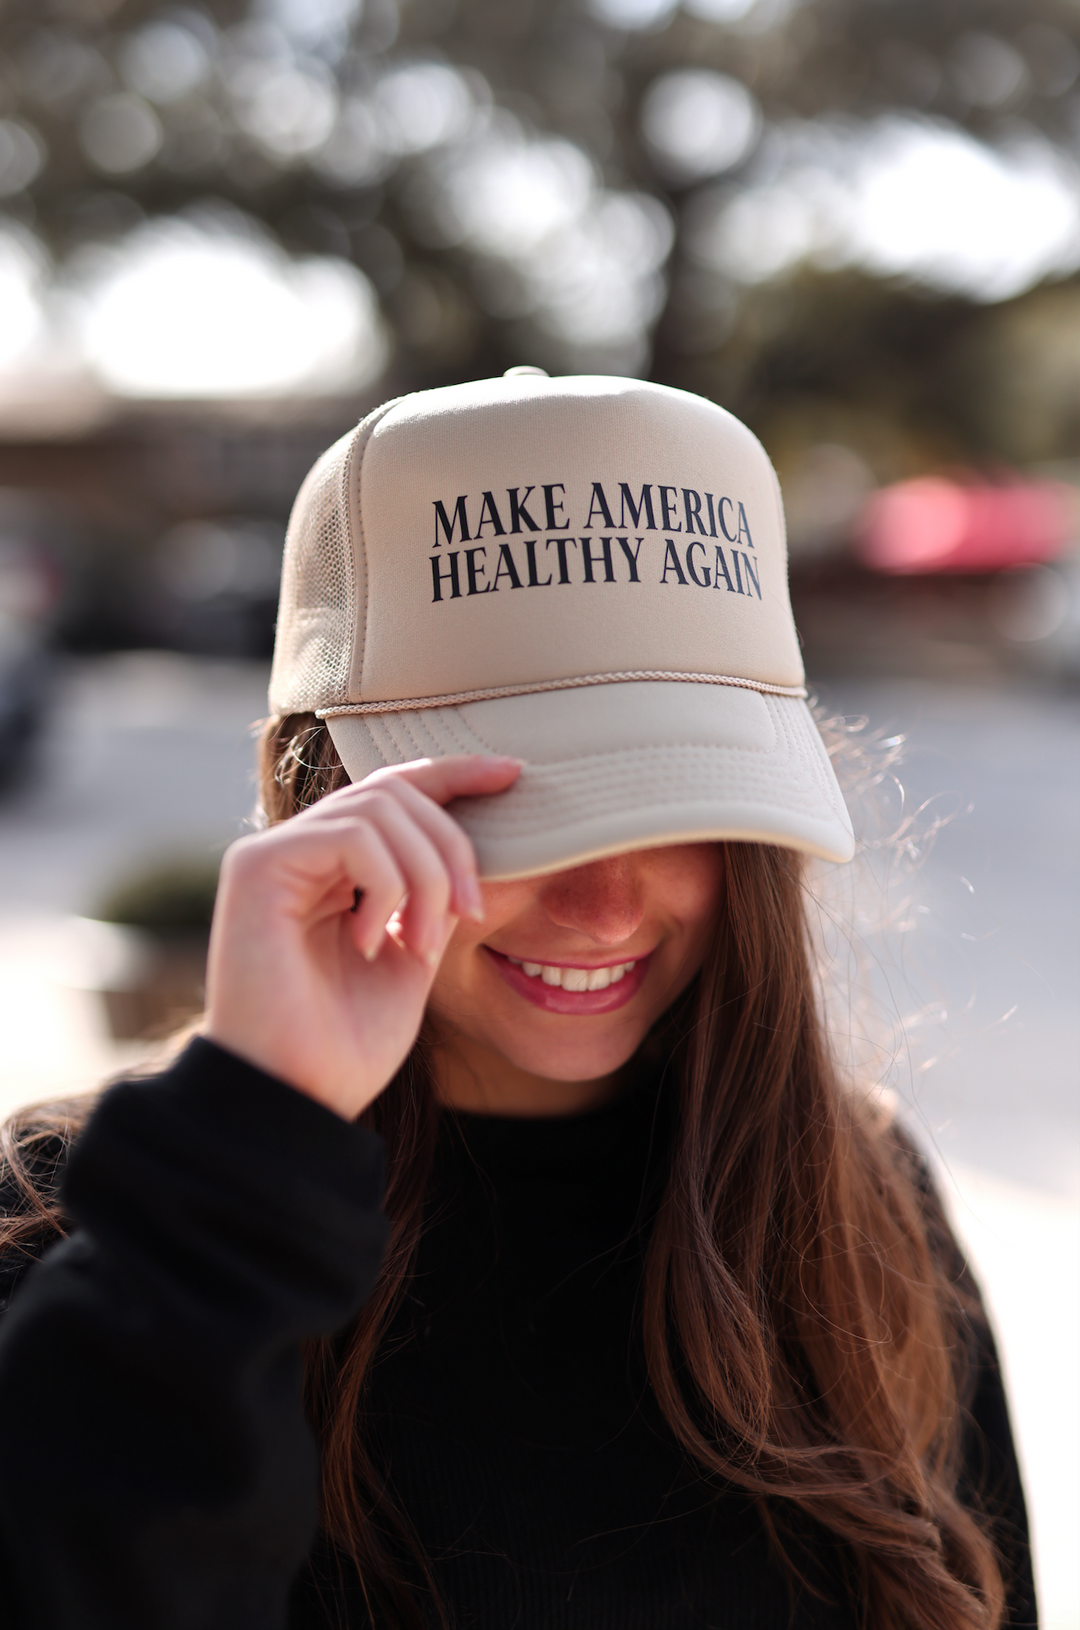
542, 1005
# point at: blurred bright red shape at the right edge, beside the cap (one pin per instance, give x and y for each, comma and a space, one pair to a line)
937, 526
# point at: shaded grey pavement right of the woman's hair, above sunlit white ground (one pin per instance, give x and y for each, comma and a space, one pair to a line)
985, 966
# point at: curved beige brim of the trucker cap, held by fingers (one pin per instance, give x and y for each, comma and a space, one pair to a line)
620, 767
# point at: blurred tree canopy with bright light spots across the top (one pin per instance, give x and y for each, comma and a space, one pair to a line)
625, 185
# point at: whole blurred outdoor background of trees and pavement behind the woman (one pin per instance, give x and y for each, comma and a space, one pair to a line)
227, 231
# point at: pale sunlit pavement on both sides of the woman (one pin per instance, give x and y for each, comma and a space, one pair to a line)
972, 987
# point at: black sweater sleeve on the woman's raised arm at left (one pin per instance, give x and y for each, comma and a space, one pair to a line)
157, 1469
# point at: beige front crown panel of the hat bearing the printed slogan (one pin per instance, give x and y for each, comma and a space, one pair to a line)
524, 532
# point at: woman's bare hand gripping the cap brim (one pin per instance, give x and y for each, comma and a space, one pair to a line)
323, 992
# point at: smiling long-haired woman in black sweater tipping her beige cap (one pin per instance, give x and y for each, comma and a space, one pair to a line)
661, 1324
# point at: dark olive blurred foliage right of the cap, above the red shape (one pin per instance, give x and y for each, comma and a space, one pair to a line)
907, 377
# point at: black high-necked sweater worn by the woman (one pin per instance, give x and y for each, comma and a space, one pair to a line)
157, 1473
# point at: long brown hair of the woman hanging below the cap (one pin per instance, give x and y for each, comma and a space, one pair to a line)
806, 1313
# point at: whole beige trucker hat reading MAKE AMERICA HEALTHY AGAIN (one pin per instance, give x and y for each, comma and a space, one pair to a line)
586, 573
